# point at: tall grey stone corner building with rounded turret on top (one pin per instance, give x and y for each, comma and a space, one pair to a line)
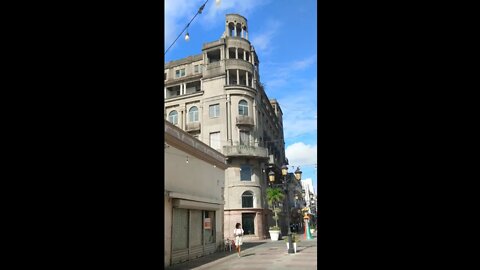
218, 98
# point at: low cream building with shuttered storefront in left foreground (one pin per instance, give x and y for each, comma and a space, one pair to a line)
194, 188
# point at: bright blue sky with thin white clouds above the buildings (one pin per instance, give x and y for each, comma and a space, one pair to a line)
284, 34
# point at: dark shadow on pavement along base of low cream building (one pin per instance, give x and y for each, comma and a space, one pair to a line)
213, 257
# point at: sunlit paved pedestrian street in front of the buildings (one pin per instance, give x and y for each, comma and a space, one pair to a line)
263, 254
